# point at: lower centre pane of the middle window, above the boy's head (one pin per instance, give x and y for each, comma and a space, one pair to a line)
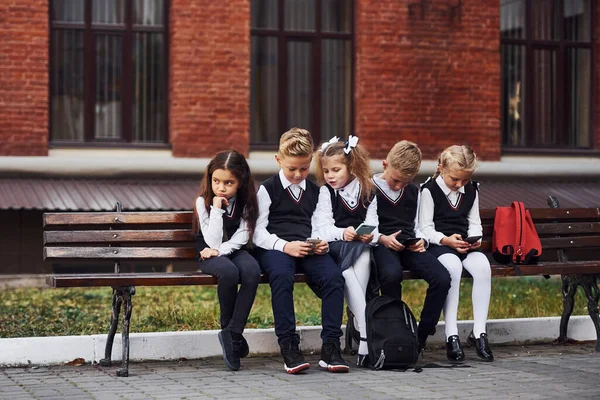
299, 85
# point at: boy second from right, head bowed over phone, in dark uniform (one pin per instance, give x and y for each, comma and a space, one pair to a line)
397, 200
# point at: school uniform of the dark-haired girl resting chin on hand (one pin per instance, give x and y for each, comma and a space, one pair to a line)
226, 231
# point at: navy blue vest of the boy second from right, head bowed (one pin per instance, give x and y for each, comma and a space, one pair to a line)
400, 214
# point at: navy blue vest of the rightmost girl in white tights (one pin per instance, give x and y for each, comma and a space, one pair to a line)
447, 218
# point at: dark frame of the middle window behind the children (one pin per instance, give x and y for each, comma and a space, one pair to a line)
315, 38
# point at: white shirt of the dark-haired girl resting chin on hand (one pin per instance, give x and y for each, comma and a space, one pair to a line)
211, 226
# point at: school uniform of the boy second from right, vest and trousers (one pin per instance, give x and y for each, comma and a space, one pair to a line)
397, 210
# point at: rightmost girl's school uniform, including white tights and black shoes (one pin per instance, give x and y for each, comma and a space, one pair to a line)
443, 212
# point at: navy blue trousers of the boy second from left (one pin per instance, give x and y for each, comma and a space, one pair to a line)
322, 271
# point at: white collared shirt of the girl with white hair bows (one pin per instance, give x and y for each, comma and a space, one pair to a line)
324, 223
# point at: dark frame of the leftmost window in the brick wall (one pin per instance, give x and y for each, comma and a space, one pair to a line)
89, 76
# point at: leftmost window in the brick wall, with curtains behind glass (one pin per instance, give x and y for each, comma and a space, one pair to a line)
108, 74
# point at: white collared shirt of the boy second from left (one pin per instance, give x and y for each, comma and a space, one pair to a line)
262, 238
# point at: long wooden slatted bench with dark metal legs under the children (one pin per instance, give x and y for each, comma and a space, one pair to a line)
82, 237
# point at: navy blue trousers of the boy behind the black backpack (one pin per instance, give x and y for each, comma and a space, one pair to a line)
390, 265
